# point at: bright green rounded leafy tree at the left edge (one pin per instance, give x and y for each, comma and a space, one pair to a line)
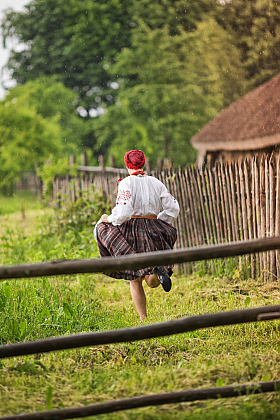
37, 122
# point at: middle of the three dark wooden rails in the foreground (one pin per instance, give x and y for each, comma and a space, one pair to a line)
140, 333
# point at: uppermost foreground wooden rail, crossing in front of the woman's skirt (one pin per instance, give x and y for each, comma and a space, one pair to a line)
136, 261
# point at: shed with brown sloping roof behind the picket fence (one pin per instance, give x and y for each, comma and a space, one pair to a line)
248, 126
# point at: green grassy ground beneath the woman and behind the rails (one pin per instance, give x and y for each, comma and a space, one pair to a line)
38, 308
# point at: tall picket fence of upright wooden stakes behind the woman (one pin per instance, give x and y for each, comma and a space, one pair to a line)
226, 203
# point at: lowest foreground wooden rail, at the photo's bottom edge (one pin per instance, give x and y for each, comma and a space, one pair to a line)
157, 399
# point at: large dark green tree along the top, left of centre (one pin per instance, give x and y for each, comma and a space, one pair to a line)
78, 40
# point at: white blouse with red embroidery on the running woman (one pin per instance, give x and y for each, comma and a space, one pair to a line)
143, 196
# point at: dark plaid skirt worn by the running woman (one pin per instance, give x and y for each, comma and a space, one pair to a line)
132, 237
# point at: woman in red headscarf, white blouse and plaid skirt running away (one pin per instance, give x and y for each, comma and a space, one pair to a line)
140, 222
